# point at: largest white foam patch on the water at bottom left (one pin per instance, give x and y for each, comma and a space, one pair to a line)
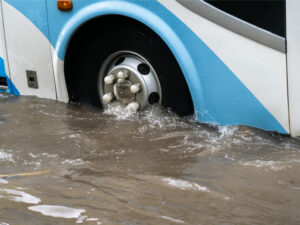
57, 211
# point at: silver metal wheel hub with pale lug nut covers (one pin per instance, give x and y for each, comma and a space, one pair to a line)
128, 78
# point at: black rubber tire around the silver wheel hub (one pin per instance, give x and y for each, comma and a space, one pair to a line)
137, 38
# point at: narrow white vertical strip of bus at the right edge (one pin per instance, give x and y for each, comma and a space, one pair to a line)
293, 62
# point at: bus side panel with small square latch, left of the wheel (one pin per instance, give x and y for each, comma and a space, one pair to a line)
28, 48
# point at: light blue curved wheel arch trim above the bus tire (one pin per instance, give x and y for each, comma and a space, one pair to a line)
147, 17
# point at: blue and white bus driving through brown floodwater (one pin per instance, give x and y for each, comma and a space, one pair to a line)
227, 62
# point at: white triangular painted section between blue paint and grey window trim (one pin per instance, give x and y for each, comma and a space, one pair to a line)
261, 69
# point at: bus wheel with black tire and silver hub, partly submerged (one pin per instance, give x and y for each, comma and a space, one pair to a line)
133, 66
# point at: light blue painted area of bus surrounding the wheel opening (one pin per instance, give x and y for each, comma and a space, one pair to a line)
218, 95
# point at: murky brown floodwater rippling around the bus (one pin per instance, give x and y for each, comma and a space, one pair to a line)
75, 164
